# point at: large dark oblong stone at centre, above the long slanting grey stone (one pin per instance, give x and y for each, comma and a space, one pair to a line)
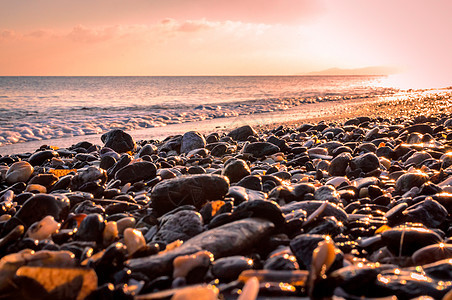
194, 190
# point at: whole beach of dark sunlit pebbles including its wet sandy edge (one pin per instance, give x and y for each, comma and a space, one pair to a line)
327, 200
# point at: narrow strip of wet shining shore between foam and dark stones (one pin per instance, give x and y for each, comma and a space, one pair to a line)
400, 104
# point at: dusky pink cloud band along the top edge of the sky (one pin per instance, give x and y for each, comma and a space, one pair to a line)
48, 13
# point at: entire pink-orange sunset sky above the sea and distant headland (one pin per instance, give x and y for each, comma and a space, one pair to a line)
232, 37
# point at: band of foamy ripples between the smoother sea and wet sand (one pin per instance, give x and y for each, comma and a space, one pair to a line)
90, 121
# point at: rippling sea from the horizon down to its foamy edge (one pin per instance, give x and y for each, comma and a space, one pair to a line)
46, 108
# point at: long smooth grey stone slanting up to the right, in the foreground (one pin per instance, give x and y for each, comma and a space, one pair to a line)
227, 240
